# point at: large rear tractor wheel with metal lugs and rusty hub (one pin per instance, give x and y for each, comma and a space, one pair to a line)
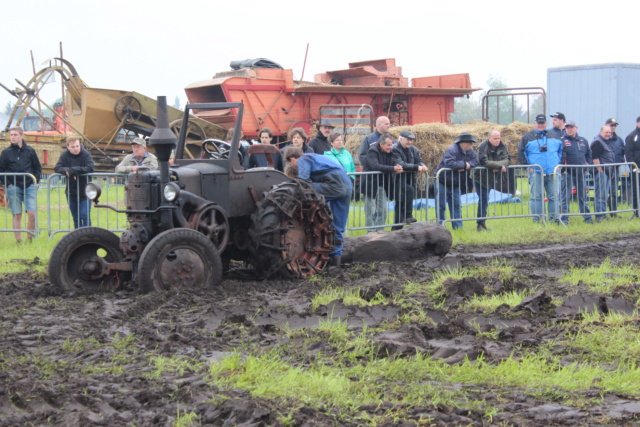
291, 232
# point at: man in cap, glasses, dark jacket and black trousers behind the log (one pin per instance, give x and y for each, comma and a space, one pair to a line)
406, 155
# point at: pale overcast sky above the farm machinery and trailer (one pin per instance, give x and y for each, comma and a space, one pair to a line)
159, 47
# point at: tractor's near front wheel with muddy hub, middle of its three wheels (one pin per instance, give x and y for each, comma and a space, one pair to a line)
179, 258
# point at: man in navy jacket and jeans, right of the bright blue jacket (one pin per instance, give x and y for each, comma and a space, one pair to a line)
575, 151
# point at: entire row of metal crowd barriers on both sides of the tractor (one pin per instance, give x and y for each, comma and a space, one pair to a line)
383, 200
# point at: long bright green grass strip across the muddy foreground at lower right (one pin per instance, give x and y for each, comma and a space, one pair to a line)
415, 380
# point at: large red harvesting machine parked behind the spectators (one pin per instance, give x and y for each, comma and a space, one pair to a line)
351, 98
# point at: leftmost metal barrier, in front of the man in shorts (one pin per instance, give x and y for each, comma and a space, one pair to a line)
19, 186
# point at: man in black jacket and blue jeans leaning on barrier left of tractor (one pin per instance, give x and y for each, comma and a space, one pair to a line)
74, 163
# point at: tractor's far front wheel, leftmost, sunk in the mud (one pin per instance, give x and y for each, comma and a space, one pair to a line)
71, 255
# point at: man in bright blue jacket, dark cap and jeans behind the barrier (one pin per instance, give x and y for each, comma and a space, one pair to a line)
541, 147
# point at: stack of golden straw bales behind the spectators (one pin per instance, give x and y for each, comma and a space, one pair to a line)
432, 139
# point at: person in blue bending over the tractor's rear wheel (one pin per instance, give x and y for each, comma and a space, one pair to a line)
329, 179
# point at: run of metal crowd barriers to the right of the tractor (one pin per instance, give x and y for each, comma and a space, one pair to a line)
479, 195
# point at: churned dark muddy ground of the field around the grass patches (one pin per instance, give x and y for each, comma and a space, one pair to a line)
60, 351
